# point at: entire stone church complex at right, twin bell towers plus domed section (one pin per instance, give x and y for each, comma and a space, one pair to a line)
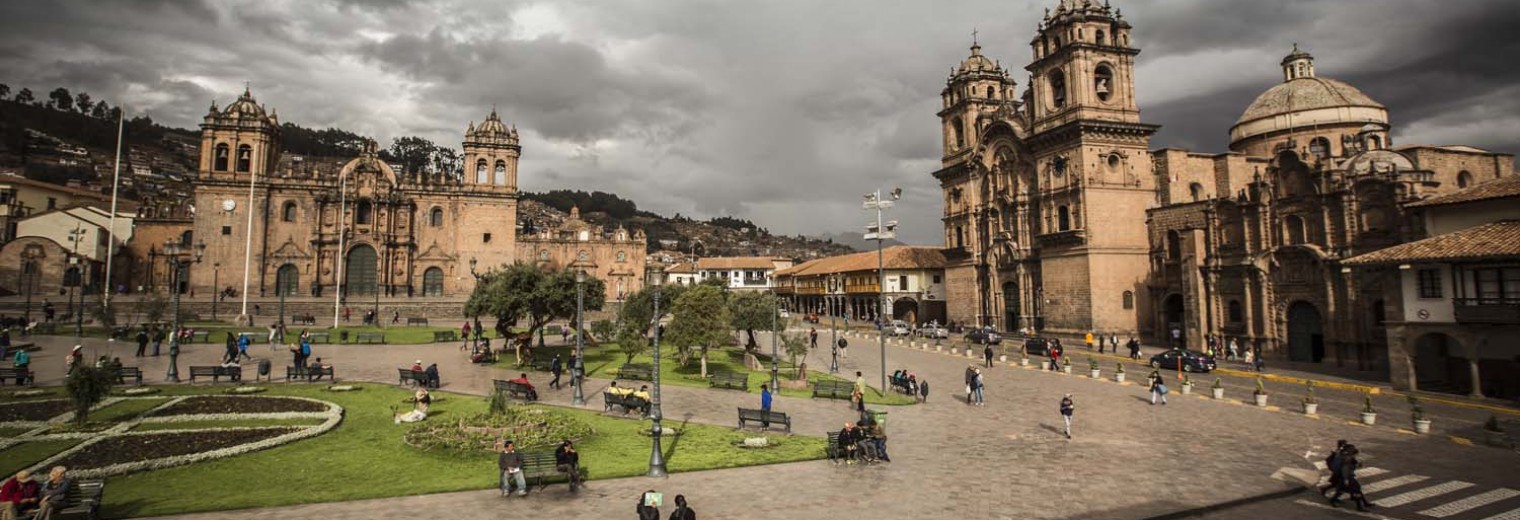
1059, 217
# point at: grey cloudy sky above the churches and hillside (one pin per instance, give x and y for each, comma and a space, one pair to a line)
782, 112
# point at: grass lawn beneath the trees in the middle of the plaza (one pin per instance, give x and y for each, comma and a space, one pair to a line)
606, 360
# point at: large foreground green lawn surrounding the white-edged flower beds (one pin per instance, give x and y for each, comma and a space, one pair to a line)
364, 458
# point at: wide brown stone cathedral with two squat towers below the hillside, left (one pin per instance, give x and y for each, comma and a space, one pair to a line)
364, 229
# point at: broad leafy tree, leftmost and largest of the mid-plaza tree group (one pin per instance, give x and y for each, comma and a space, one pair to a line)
528, 293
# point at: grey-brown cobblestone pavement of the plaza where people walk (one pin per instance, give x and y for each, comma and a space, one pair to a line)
1007, 460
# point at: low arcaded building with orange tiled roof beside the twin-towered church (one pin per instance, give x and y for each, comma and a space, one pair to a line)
852, 287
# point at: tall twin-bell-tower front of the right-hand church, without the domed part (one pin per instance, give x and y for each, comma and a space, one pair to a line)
1045, 192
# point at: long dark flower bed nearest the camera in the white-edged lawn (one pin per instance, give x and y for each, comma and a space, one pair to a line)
147, 448
